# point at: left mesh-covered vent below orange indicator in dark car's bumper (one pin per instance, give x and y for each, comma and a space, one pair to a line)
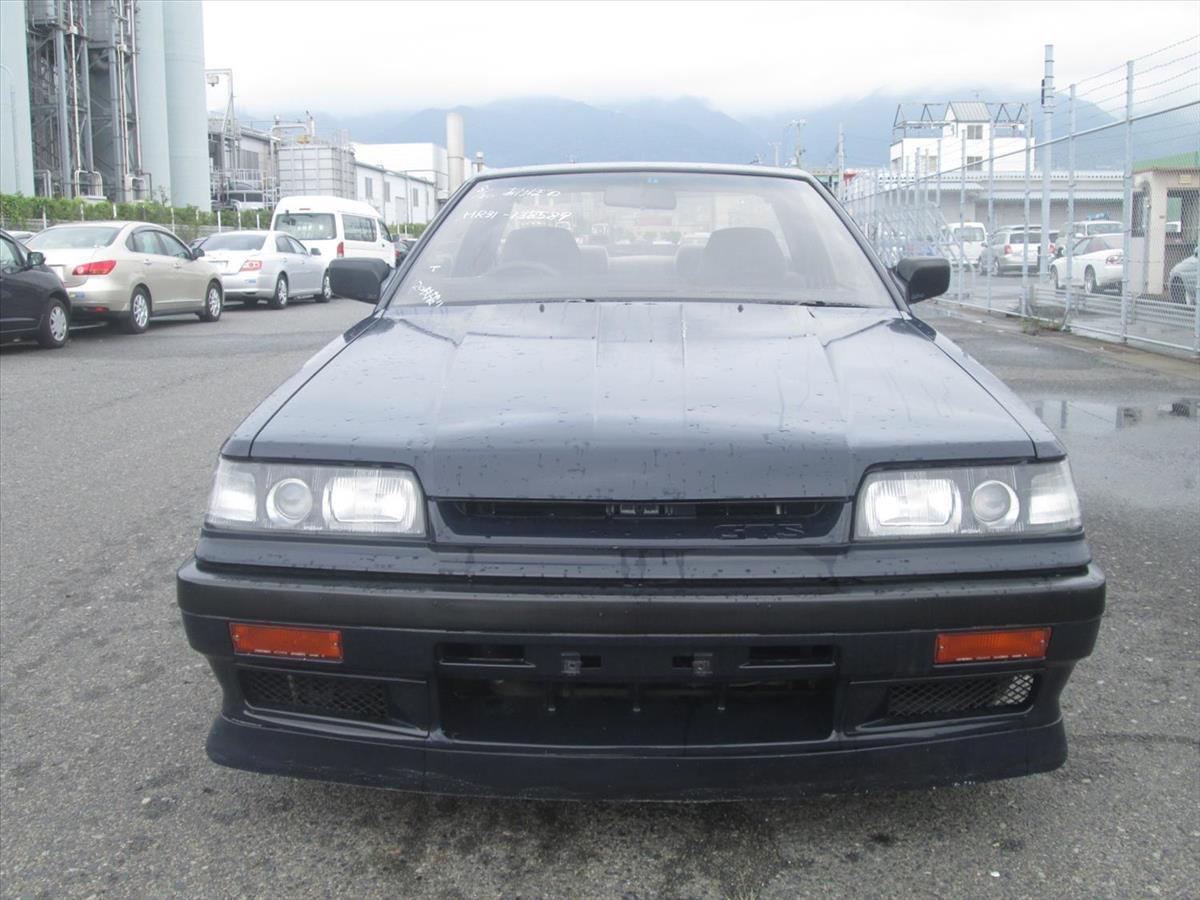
320, 695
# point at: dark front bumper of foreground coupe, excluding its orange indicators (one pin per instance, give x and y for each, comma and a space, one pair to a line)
644, 693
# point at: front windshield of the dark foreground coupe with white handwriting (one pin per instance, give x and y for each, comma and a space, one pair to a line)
645, 236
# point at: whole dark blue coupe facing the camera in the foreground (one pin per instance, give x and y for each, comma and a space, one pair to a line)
561, 520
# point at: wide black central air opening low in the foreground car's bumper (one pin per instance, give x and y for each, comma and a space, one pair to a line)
631, 715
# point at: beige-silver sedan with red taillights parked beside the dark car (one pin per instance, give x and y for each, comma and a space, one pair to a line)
129, 272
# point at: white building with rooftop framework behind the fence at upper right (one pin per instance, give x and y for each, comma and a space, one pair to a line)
928, 139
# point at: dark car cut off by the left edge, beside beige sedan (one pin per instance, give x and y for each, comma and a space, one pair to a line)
33, 301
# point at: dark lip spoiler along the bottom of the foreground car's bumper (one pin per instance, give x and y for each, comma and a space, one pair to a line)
633, 777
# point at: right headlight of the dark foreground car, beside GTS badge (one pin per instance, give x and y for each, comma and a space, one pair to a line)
1034, 499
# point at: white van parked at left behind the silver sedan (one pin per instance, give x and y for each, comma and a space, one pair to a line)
335, 227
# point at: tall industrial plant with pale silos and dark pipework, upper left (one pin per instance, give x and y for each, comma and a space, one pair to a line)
104, 99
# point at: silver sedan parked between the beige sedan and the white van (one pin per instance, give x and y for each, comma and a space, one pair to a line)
267, 266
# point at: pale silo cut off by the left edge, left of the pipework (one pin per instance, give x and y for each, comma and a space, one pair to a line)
16, 142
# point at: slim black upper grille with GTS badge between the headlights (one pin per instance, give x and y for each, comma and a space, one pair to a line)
713, 520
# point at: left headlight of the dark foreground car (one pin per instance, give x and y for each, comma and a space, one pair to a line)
283, 497
